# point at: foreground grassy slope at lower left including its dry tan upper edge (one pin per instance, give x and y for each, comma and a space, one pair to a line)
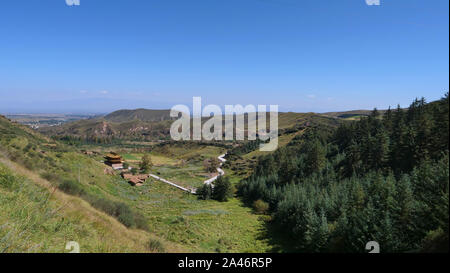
36, 217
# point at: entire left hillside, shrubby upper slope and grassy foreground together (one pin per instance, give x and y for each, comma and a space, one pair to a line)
44, 205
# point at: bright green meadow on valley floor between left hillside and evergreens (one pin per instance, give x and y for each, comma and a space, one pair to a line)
209, 226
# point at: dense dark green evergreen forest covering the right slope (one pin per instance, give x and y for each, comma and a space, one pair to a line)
383, 178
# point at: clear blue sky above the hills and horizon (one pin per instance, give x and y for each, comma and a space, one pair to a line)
302, 55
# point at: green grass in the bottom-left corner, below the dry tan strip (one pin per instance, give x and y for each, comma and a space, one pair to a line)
33, 220
